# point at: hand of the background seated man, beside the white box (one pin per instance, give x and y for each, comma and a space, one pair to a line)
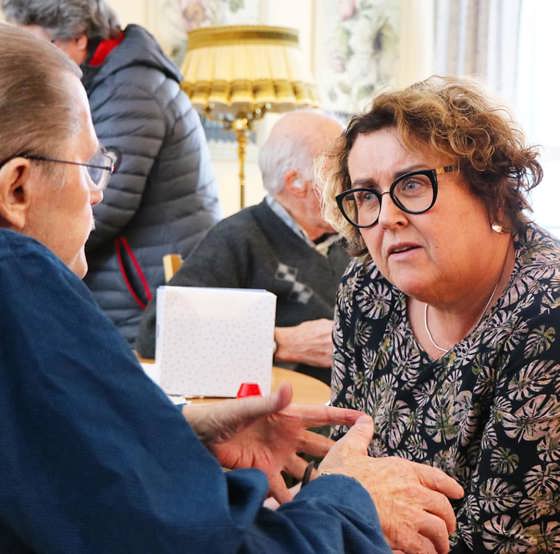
309, 342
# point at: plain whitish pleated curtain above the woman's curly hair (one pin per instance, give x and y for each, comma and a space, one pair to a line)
479, 38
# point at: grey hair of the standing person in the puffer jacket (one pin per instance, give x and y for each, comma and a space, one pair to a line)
65, 19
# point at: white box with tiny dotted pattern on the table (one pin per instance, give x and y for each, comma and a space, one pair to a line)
210, 340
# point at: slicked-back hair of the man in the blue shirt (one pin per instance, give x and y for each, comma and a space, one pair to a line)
38, 113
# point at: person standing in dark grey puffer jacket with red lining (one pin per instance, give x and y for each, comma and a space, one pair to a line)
163, 198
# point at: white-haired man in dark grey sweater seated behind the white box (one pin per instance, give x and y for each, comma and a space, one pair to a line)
282, 245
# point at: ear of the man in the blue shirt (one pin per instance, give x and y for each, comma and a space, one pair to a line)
15, 193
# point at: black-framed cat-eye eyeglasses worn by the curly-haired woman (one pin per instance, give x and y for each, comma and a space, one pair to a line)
413, 193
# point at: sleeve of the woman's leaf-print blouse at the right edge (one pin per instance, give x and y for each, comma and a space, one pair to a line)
513, 501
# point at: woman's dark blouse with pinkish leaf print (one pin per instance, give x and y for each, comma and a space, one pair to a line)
487, 412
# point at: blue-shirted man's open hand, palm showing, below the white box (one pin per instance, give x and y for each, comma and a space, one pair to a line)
266, 433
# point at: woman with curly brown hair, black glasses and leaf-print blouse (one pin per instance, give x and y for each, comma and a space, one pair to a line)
448, 320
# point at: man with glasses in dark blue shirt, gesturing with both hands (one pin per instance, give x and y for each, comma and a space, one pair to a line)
95, 458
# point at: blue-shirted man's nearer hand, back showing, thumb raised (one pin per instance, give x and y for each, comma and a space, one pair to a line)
411, 499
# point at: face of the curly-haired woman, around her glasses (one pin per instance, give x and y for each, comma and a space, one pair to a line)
431, 256
